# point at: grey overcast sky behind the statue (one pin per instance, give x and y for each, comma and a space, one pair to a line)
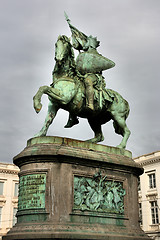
129, 32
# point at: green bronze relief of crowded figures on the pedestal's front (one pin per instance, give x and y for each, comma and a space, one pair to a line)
98, 194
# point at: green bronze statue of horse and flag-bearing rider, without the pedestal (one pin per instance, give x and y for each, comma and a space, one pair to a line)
79, 87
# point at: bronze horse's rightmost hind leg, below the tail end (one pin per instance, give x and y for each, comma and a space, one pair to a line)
122, 129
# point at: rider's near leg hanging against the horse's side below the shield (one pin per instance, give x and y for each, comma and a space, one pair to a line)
89, 94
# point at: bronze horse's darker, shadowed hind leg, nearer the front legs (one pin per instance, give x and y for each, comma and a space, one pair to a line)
97, 131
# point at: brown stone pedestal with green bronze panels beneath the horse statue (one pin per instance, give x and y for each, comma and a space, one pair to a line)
71, 189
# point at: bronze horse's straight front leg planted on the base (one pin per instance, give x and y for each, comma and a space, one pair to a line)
52, 110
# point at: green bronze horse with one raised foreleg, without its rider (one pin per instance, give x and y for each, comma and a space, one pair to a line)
68, 92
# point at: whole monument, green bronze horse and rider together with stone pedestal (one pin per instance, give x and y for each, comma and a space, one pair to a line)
72, 189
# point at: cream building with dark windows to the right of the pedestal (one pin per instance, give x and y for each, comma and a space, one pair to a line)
149, 194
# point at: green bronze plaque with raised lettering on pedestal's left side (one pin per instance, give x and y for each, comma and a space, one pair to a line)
32, 191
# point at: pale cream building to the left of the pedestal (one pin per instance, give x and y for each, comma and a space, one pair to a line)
8, 196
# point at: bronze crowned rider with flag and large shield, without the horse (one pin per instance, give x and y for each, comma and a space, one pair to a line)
90, 65
